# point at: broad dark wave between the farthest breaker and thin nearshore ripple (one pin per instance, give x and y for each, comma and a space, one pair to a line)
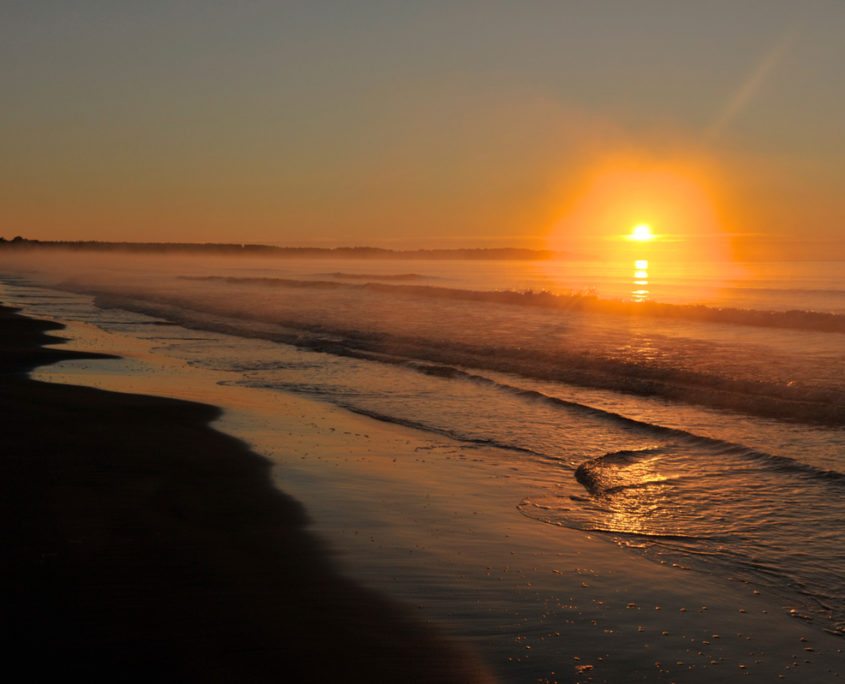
756, 396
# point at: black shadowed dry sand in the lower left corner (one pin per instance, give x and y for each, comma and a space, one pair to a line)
140, 544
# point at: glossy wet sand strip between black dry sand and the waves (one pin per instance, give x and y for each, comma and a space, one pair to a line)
433, 525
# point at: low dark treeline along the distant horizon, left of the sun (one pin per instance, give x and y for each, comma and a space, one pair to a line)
227, 249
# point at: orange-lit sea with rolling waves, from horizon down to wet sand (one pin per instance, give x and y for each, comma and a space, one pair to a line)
691, 437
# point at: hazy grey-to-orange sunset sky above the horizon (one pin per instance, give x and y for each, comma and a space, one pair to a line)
427, 124
